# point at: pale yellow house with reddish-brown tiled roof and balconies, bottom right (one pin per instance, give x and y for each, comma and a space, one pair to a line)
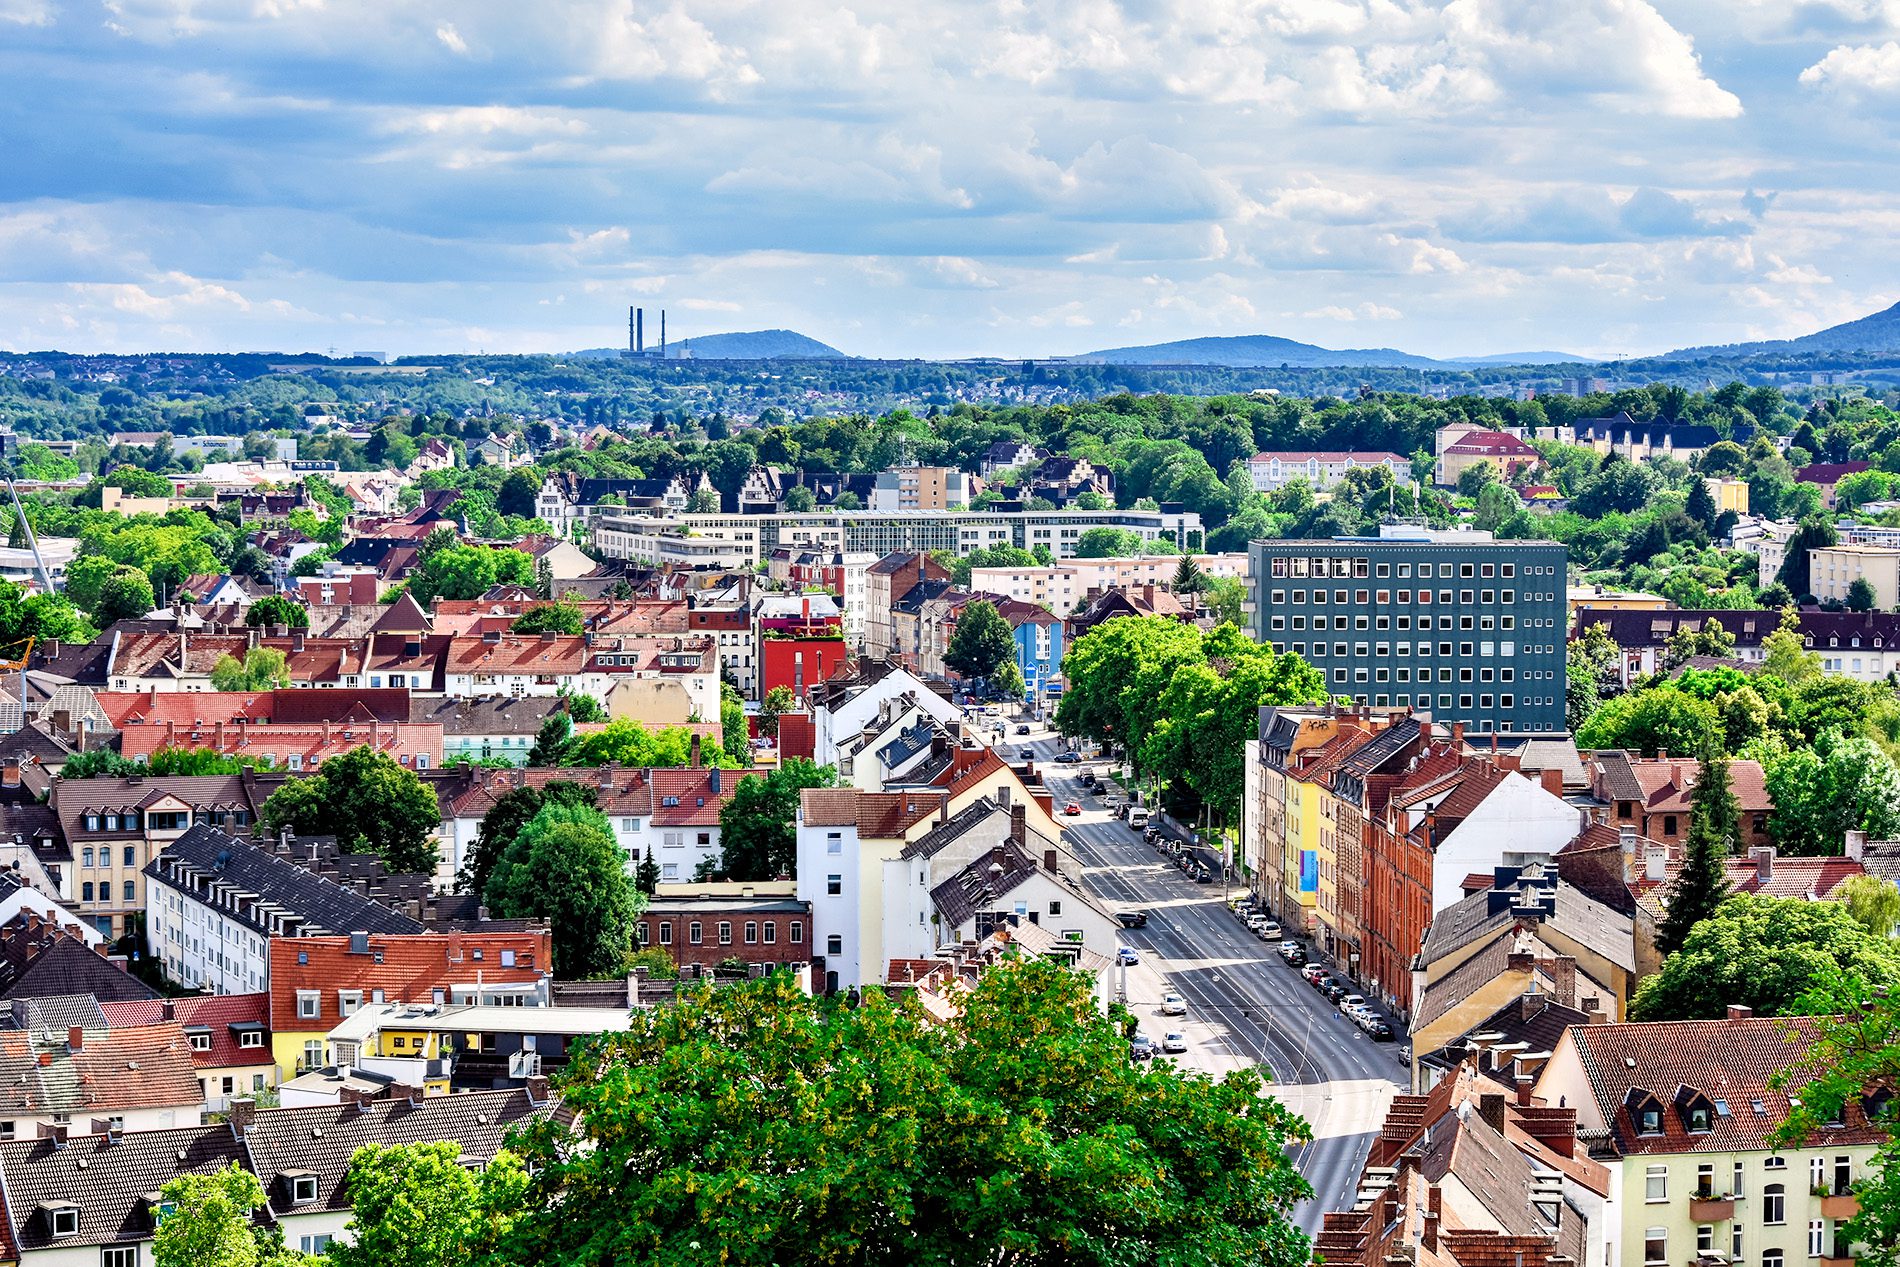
1682, 1114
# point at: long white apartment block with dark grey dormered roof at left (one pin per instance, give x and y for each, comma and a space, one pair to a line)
216, 903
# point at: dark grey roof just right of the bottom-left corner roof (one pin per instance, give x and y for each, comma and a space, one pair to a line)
284, 1141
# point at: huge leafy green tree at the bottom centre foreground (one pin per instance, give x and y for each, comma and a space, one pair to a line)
753, 1125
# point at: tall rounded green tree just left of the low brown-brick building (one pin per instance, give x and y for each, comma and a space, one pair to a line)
567, 869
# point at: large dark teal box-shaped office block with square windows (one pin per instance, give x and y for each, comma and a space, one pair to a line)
1451, 624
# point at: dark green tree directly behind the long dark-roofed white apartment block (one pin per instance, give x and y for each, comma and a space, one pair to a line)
370, 803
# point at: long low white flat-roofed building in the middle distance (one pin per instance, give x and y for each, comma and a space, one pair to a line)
746, 540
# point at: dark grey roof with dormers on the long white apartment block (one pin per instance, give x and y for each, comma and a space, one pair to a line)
206, 856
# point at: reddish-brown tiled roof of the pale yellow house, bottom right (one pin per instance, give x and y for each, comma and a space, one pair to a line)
1728, 1061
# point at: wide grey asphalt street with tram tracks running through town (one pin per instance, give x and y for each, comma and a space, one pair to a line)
1245, 1006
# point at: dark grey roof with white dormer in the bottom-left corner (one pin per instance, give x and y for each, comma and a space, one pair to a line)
109, 1181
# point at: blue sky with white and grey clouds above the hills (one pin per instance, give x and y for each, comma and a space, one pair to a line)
945, 178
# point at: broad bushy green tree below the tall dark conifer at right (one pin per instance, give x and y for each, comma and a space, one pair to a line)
1764, 953
